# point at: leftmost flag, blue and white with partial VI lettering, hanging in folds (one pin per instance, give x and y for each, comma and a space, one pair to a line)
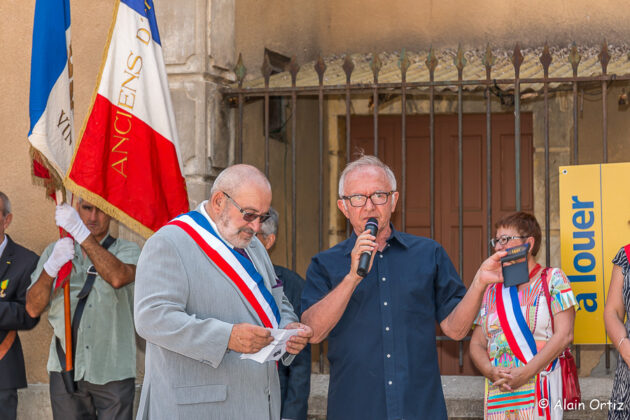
51, 131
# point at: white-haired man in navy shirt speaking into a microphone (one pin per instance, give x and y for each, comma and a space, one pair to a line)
381, 328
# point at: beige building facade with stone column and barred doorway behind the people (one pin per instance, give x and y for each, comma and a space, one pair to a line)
202, 40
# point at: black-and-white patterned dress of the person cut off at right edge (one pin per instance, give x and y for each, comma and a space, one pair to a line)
621, 386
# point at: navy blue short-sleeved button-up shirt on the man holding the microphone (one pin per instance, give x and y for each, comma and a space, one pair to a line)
382, 352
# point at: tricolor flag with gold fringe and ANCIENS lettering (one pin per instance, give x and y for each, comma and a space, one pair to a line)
128, 161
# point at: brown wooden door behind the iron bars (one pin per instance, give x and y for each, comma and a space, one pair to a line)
418, 216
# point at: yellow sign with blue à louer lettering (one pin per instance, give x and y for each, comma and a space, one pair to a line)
594, 225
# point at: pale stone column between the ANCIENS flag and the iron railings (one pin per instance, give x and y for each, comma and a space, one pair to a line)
199, 47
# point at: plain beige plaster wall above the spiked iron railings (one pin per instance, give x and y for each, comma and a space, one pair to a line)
305, 29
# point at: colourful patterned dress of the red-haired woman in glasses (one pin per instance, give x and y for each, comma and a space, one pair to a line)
521, 403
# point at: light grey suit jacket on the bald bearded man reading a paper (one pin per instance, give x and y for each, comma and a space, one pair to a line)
185, 308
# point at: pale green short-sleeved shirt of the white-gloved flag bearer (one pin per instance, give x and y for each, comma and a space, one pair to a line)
106, 343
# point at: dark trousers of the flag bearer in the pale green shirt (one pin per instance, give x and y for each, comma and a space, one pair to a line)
112, 401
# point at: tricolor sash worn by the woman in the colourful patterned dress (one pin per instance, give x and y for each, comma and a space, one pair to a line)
521, 339
